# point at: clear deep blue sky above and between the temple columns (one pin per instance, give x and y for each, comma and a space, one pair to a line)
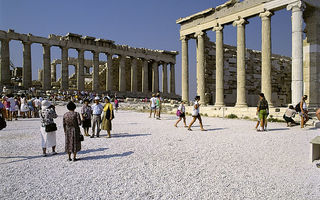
138, 23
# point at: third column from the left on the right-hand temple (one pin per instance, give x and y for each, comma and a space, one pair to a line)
219, 67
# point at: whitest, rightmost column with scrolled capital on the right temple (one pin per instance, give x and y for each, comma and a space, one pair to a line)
297, 50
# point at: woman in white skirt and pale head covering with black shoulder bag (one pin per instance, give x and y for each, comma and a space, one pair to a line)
48, 127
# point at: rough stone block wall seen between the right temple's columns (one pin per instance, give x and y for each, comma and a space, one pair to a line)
281, 76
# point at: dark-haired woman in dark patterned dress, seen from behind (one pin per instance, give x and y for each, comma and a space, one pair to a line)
71, 123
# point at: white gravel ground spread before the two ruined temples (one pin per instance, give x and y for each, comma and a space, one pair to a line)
151, 159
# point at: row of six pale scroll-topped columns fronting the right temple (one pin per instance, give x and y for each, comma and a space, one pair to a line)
266, 87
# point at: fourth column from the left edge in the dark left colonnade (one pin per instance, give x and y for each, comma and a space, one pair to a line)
64, 69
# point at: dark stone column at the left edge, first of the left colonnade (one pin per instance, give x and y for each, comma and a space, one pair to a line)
5, 75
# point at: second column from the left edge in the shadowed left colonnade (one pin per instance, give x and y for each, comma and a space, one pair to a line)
27, 70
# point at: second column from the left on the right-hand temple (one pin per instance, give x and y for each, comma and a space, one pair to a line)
200, 66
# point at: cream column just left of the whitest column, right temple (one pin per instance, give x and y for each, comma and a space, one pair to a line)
266, 86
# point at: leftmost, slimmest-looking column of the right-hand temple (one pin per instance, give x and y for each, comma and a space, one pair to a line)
185, 68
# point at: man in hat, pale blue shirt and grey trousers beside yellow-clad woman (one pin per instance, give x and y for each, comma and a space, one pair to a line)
97, 109
